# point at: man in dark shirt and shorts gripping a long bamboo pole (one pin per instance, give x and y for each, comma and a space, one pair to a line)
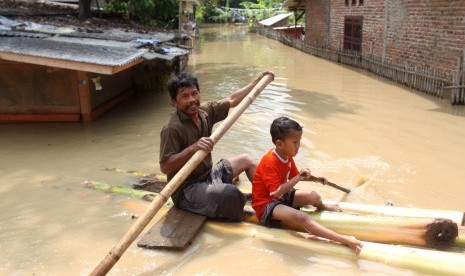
208, 190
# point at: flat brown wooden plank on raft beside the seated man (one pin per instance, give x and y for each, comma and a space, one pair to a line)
175, 230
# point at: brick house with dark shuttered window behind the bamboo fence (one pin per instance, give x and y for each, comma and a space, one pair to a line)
412, 40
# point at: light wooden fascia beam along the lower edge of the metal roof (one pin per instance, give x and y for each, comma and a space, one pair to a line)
68, 64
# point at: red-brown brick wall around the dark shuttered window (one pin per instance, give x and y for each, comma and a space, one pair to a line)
428, 34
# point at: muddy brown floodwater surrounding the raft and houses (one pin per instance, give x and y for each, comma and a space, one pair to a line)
409, 148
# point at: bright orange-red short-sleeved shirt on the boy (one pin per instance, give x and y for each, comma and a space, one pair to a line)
271, 172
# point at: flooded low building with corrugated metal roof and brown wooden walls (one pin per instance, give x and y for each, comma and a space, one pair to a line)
66, 74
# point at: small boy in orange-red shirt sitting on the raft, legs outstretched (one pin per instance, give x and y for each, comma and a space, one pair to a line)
274, 198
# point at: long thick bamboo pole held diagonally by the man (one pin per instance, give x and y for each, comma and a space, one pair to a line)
115, 254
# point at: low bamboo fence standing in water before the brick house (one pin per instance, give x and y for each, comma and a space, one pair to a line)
430, 81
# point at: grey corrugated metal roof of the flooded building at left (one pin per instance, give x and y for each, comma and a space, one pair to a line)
101, 52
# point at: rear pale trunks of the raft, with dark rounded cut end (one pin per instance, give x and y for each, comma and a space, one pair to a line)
426, 237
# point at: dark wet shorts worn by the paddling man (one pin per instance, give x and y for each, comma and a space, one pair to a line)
215, 198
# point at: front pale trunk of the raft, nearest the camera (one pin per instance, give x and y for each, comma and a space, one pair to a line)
409, 257
